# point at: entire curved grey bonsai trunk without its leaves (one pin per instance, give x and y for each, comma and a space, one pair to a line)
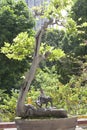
20, 109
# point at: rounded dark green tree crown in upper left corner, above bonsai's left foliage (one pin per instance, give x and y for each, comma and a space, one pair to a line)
14, 18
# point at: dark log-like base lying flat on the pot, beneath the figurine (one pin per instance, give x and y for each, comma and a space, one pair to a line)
33, 112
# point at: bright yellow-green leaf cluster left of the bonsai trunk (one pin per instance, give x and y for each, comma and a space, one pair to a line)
22, 46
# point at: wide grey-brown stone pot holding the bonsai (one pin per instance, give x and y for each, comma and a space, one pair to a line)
47, 124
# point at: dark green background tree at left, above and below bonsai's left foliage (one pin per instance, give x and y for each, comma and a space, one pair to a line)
15, 17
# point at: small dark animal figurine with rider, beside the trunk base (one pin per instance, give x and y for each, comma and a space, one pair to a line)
43, 99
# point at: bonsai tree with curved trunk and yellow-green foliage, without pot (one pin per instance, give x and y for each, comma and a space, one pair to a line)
24, 45
